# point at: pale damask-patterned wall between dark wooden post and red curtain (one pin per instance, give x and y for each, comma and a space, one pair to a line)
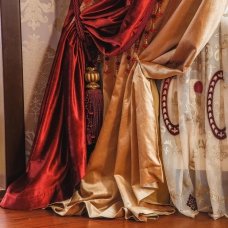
42, 22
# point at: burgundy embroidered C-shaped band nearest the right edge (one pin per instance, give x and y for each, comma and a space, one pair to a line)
218, 133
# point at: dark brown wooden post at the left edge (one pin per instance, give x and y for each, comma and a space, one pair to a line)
13, 89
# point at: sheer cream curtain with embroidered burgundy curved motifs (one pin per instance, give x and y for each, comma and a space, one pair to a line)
198, 174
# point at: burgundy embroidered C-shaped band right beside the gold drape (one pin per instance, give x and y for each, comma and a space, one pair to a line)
172, 128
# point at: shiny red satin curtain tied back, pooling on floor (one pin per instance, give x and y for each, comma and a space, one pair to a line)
58, 157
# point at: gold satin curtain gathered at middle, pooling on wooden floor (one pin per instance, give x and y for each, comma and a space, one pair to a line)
125, 175
